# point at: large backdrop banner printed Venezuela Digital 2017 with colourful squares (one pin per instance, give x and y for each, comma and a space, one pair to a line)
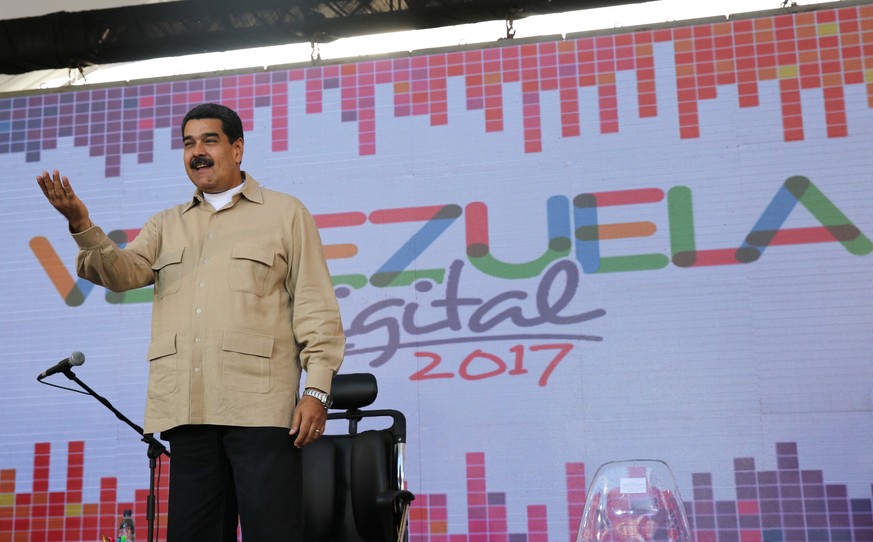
652, 243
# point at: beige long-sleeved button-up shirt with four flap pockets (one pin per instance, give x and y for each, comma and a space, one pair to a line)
242, 302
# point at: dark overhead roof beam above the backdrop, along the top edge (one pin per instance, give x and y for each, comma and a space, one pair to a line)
74, 40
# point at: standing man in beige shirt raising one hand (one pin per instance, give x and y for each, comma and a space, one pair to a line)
242, 302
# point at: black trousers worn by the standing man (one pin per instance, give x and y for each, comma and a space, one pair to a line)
219, 473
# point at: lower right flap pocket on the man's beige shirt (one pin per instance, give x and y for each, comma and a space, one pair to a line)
245, 361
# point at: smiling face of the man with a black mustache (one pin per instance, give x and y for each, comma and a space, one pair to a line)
211, 160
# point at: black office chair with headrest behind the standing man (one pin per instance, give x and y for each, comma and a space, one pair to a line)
353, 483
